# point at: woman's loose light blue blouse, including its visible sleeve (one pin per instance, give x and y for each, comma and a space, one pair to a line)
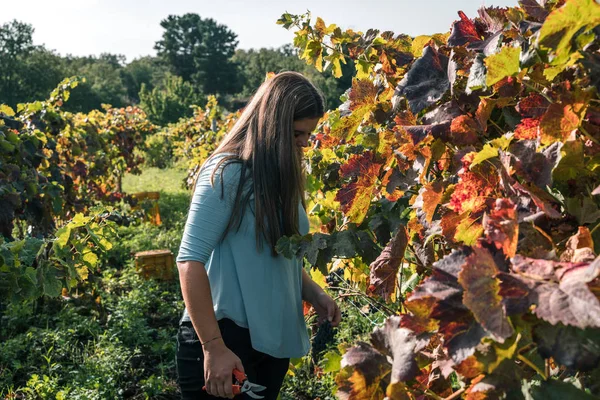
254, 289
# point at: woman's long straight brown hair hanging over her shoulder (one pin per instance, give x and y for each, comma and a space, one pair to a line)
263, 141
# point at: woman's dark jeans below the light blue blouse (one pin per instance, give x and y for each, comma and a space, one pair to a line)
259, 367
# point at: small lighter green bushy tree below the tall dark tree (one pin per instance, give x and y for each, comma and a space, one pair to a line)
171, 102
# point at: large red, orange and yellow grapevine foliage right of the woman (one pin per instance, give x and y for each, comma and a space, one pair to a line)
480, 147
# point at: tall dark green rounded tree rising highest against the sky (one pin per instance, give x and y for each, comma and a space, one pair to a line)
200, 50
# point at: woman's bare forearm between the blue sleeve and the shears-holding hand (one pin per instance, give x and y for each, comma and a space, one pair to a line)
197, 296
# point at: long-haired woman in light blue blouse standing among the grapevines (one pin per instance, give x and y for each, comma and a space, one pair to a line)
243, 300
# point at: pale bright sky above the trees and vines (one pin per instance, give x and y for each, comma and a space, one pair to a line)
131, 27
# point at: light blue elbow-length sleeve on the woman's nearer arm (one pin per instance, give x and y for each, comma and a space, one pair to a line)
210, 210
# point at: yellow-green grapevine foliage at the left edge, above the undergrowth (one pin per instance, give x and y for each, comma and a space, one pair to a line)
55, 168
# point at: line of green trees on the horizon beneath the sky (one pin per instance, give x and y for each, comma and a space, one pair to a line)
195, 57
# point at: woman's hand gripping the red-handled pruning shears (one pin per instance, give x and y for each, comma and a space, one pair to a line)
219, 363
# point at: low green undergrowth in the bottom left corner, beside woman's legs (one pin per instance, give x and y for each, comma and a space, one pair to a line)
116, 344
